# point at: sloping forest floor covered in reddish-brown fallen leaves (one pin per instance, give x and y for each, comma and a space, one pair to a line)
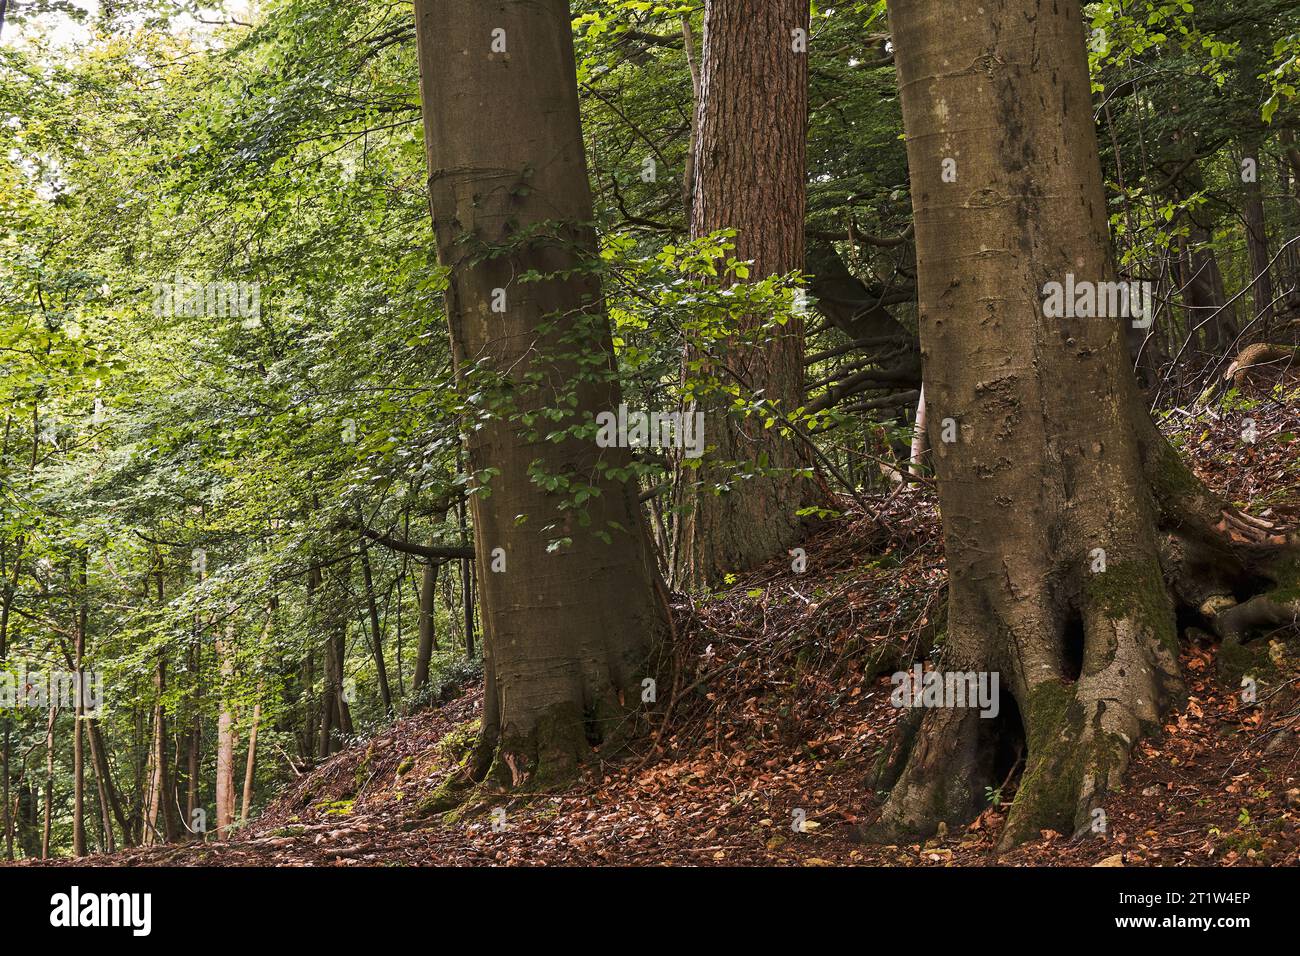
777, 710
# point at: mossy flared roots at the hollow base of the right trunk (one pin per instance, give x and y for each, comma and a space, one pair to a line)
1233, 573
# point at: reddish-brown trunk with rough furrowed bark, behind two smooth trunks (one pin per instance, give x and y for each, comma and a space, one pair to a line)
749, 176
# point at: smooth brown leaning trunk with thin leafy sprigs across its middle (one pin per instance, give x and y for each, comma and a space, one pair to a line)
569, 630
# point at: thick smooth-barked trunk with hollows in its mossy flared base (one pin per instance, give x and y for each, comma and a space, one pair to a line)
1056, 458
